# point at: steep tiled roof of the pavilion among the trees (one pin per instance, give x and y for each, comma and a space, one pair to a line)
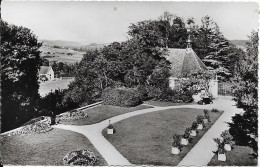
184, 61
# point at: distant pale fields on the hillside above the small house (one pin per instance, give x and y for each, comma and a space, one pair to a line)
61, 55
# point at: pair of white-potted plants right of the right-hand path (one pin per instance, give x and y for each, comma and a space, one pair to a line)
224, 144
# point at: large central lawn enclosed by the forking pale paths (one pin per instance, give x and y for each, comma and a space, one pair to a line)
146, 139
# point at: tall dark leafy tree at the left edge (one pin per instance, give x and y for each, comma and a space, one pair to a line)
20, 62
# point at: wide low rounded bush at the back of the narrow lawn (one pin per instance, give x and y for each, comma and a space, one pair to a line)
123, 97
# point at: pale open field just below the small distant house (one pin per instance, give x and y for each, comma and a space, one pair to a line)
49, 86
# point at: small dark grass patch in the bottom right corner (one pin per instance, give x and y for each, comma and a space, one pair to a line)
239, 156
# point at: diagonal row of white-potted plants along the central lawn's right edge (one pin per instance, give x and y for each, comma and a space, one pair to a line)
180, 140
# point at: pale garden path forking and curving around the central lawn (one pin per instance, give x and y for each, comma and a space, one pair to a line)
113, 157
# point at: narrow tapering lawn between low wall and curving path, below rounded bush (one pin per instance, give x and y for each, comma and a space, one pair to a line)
102, 112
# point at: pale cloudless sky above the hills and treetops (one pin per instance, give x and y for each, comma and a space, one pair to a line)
105, 22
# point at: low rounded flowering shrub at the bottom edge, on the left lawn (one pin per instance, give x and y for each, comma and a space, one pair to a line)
80, 157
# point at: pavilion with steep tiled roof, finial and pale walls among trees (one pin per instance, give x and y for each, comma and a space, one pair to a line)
186, 61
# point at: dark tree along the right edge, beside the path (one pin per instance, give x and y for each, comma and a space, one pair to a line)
244, 128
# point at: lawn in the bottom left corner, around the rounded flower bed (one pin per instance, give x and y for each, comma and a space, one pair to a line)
44, 149
